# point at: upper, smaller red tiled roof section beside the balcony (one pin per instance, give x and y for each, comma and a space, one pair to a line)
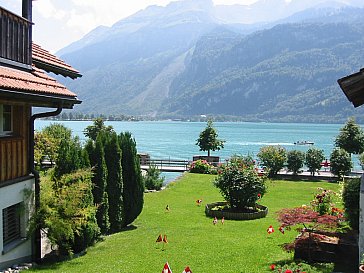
45, 60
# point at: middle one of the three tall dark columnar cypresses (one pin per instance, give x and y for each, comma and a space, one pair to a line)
114, 182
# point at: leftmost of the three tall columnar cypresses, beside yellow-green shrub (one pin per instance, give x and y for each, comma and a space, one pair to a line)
97, 160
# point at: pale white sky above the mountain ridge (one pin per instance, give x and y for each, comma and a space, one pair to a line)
58, 23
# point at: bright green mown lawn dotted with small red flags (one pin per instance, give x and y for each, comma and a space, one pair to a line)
236, 246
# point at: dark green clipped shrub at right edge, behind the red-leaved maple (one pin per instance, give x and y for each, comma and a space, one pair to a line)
351, 197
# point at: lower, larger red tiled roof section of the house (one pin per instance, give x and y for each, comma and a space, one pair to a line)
35, 82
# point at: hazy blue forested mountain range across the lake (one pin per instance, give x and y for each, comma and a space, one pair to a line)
274, 60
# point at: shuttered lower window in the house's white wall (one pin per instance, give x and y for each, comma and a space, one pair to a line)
11, 224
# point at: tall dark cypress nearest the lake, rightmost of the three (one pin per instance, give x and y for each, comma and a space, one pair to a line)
132, 178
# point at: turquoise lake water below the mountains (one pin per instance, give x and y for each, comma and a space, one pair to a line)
176, 140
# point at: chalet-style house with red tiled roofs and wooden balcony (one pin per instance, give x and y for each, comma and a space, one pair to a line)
23, 85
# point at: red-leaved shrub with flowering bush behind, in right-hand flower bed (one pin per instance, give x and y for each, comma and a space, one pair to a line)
321, 221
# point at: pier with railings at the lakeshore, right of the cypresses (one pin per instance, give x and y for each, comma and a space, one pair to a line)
166, 165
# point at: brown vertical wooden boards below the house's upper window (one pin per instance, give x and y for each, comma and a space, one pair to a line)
13, 158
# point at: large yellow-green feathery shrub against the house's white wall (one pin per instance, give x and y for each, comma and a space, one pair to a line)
67, 213
